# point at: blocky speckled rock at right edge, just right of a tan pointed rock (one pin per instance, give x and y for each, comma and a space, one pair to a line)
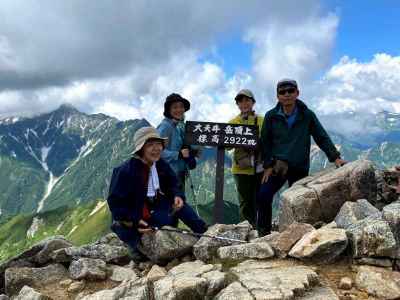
371, 237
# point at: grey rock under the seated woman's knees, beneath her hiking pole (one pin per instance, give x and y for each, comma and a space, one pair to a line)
163, 246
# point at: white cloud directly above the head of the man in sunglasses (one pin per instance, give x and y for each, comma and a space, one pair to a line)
295, 50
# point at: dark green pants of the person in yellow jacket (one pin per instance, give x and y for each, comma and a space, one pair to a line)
247, 187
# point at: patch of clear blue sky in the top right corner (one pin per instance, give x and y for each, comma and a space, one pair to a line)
367, 28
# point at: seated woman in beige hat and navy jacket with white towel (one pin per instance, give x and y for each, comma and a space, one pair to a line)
144, 193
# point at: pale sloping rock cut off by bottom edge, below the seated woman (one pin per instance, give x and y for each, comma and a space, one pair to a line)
134, 289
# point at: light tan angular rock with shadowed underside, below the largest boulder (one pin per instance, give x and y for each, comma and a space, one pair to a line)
322, 246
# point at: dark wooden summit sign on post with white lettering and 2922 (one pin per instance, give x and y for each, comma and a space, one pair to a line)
220, 135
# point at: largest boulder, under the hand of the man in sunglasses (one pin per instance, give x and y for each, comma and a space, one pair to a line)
320, 197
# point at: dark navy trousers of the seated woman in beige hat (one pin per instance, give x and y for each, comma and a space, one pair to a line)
162, 214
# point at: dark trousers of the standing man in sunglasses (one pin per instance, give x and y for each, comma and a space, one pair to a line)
266, 194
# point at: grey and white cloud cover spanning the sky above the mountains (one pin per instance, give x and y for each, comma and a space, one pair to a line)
124, 59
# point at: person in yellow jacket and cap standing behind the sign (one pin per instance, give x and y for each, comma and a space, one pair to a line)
247, 166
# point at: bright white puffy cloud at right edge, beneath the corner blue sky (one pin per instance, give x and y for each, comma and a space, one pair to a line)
368, 87
